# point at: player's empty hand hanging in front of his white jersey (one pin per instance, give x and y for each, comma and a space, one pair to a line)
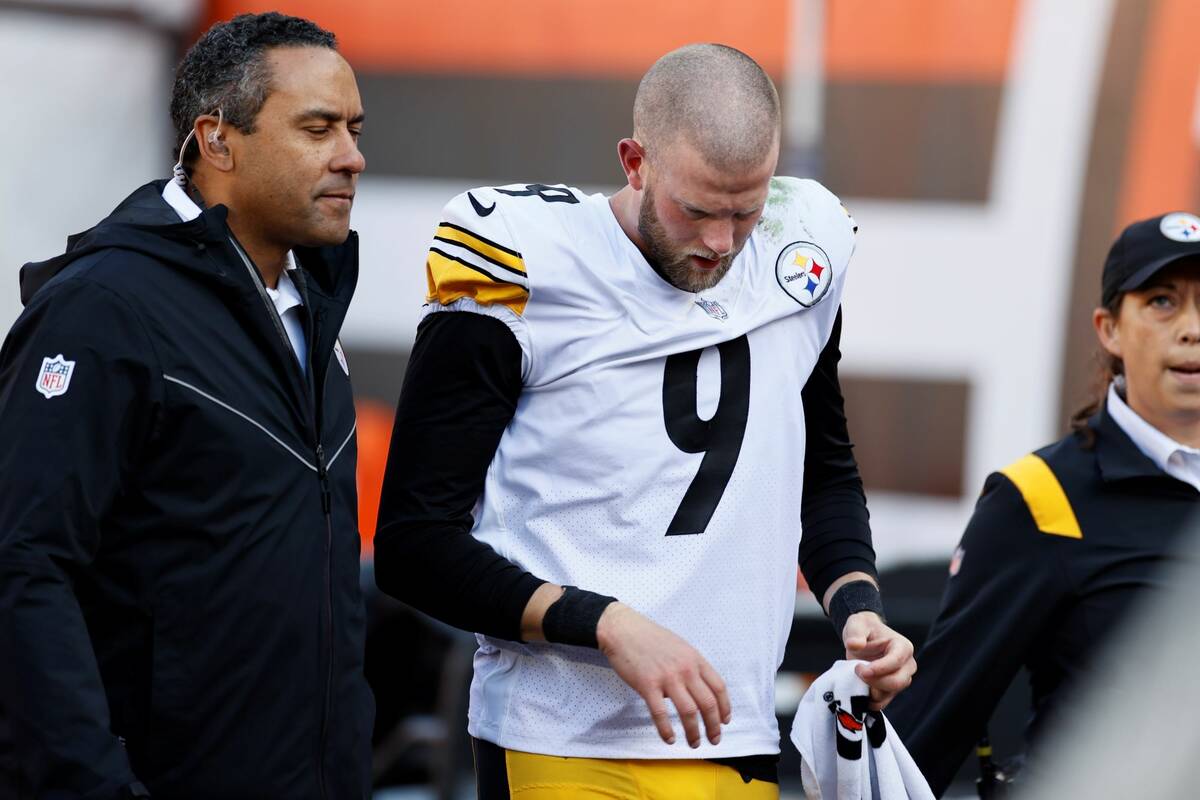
661, 666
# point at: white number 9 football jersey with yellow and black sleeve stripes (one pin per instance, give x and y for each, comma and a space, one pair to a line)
657, 453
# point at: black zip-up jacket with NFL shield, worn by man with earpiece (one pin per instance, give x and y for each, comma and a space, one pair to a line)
179, 552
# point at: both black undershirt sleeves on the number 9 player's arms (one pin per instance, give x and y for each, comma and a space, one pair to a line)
460, 393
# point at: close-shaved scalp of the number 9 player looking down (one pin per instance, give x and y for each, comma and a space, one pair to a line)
713, 97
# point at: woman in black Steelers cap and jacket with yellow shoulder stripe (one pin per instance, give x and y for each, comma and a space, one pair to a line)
1066, 539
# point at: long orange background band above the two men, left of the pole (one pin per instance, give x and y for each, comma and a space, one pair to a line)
551, 38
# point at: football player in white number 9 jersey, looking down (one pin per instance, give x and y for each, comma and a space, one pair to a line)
620, 417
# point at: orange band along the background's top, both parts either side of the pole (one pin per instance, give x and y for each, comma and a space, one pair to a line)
889, 40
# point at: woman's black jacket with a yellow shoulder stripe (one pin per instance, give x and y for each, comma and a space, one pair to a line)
1029, 591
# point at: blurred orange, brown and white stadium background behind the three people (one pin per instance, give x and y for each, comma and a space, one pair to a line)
989, 149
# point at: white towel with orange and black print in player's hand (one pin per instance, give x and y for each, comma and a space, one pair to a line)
850, 753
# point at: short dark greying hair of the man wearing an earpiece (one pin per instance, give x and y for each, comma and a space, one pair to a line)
227, 69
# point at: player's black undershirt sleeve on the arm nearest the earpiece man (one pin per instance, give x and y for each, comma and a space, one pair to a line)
460, 393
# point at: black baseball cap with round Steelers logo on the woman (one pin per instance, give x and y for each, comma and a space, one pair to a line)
1145, 248
